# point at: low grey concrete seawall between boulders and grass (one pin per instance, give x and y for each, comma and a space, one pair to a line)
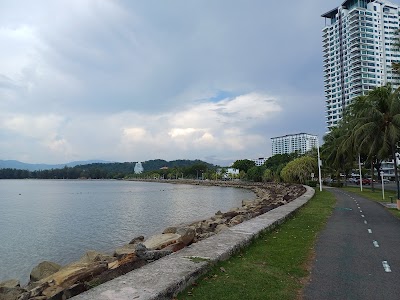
166, 277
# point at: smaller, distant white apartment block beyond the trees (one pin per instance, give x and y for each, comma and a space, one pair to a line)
301, 142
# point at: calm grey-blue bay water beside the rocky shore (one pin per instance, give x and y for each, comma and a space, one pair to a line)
59, 220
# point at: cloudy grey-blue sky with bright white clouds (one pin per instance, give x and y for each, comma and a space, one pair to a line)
123, 80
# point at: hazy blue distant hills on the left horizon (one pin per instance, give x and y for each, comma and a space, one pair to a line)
15, 164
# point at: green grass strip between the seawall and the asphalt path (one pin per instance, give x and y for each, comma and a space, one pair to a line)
274, 266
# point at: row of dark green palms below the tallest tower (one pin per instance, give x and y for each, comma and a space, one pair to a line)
369, 131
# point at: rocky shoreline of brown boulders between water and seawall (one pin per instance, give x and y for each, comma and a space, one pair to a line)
51, 281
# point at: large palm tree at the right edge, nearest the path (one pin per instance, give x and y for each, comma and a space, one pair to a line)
377, 124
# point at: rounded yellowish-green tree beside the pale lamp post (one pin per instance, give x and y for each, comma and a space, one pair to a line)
299, 170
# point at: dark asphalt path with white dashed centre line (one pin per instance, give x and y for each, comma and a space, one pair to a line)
358, 254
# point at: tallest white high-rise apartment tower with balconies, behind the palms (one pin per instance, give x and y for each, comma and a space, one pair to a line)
358, 51
